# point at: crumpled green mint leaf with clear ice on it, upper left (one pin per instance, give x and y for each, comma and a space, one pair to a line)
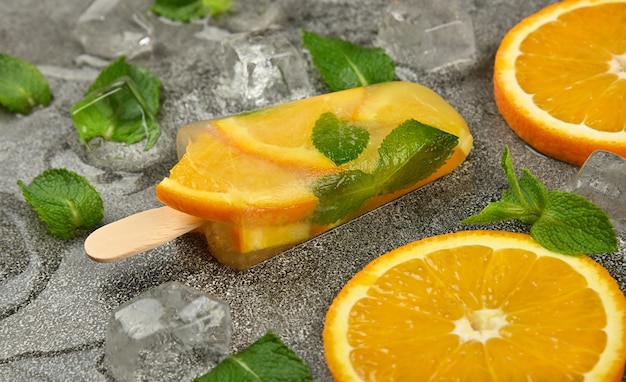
120, 106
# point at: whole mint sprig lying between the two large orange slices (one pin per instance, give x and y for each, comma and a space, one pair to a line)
560, 221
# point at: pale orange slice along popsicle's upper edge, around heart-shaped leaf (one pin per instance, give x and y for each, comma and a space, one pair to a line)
379, 108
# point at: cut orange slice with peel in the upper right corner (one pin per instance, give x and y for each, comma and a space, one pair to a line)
560, 79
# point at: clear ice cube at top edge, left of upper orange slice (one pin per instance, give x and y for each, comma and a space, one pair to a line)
427, 34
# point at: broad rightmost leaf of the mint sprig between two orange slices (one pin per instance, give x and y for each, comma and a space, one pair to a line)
571, 224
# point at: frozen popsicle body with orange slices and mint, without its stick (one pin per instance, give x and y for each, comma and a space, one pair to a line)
271, 178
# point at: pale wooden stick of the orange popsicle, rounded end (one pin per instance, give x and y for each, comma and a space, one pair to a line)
138, 233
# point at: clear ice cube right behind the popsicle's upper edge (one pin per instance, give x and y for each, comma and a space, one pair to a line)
263, 68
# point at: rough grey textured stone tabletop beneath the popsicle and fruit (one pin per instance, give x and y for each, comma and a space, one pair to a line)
54, 302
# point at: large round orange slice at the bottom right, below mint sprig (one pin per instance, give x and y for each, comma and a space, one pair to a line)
477, 306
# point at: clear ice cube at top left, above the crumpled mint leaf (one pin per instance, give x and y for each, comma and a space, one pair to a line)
112, 28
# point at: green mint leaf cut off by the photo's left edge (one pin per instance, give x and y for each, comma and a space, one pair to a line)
22, 86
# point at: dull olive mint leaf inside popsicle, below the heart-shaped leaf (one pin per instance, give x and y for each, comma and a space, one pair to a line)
341, 194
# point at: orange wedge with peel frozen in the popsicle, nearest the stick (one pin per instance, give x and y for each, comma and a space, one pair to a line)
216, 181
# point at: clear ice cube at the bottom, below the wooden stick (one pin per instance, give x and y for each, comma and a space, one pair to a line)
169, 333
